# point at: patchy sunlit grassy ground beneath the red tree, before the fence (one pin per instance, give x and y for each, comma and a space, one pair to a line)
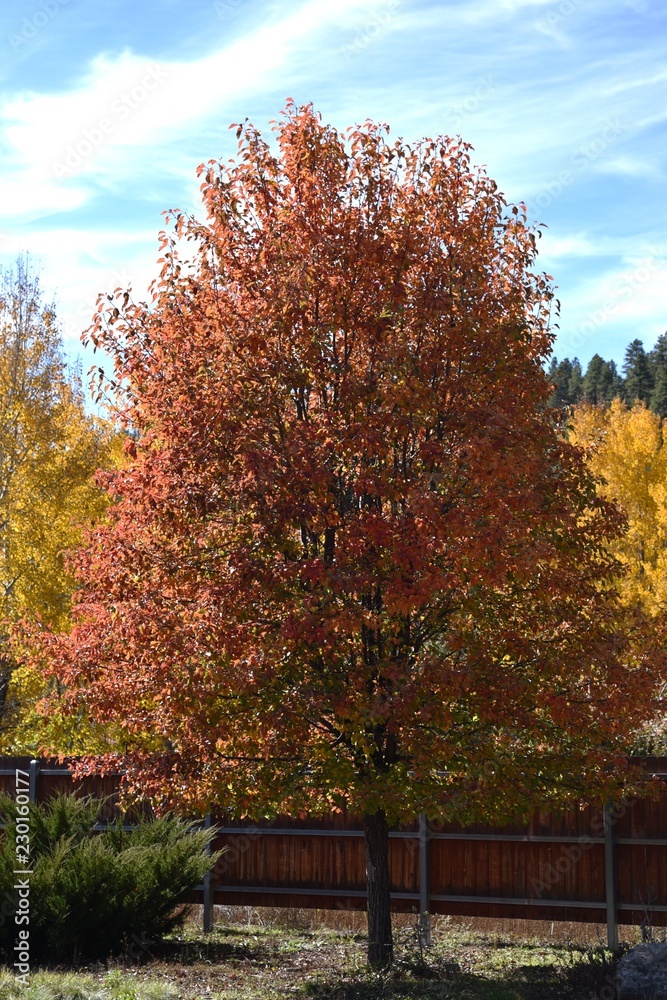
276, 955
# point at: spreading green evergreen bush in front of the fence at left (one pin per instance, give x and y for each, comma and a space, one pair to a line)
96, 894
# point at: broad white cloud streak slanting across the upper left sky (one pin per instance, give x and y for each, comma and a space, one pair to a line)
59, 146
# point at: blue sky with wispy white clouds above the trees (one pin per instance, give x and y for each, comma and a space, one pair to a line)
107, 107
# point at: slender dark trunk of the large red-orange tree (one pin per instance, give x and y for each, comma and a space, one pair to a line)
380, 942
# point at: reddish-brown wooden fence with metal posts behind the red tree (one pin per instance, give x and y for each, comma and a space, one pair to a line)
606, 866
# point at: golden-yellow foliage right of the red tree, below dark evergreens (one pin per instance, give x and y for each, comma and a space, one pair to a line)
626, 448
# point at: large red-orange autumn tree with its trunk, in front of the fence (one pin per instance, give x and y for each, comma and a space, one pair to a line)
353, 558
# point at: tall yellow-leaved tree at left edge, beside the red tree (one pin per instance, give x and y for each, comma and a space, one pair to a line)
49, 449
